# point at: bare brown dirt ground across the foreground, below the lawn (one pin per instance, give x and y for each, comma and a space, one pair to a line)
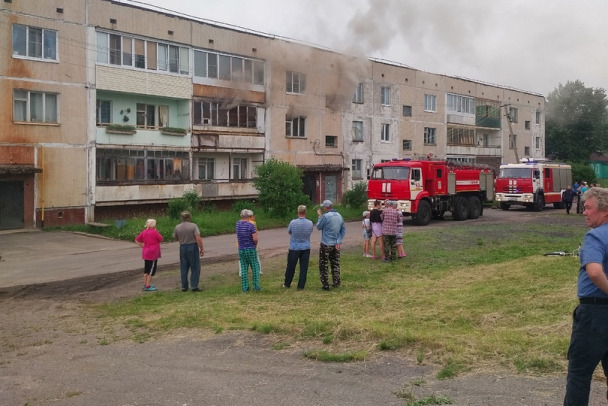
55, 352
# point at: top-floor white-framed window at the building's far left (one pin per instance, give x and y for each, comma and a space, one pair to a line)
33, 42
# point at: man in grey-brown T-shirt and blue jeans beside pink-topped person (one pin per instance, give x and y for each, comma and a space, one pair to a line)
190, 251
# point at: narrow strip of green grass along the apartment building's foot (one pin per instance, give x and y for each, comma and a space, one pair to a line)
210, 221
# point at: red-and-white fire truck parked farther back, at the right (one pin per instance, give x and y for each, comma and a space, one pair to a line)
532, 183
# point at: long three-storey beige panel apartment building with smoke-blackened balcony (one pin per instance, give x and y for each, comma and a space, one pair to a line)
115, 107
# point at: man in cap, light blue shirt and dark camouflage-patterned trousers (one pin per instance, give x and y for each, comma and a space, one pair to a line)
333, 231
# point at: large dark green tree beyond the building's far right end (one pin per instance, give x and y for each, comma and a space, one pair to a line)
576, 122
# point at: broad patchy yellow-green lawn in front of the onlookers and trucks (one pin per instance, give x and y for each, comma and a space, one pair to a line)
467, 296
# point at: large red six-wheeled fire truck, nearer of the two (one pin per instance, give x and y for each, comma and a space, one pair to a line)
424, 189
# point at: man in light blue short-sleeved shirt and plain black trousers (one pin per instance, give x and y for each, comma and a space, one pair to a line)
299, 248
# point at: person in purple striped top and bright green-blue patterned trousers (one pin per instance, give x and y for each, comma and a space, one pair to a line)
247, 238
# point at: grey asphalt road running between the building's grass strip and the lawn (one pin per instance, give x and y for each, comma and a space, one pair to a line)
32, 257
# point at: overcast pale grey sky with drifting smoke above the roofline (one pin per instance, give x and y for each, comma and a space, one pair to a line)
531, 45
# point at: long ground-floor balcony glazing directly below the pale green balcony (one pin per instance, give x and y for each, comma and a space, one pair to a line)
138, 165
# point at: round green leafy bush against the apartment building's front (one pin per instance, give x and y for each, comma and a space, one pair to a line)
280, 186
